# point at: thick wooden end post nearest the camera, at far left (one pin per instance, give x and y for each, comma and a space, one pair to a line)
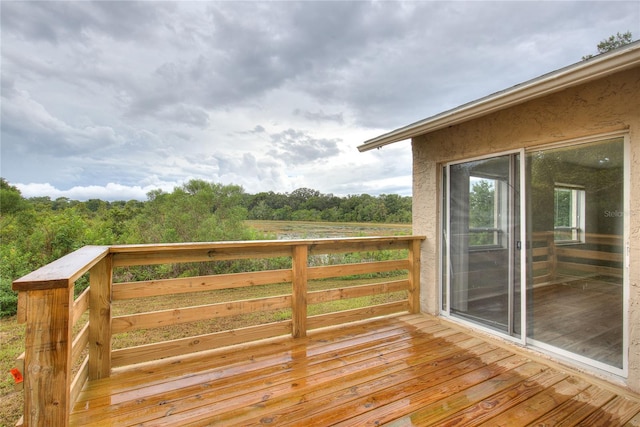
48, 307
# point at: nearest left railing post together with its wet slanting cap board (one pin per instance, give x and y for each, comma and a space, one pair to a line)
47, 308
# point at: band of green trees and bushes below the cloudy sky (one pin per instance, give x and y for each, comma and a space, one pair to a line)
36, 231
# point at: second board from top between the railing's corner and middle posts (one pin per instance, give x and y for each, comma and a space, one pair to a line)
150, 288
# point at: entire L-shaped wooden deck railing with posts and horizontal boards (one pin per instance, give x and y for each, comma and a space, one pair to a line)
69, 340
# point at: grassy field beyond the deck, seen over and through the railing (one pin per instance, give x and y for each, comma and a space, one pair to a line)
12, 333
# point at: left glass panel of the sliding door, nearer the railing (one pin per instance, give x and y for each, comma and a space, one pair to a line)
483, 240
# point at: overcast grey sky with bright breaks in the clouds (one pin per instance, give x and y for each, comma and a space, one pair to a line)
112, 99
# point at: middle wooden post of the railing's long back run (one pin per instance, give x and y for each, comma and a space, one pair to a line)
300, 255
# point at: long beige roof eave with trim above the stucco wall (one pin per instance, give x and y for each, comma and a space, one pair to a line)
572, 75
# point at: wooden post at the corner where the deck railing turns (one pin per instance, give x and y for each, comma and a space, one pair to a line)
100, 277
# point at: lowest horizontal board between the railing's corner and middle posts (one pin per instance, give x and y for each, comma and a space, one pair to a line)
183, 346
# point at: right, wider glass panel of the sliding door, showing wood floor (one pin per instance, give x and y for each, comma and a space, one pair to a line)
576, 235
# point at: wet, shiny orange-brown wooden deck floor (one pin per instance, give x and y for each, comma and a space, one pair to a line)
401, 371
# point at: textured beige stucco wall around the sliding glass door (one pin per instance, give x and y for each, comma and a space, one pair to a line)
607, 105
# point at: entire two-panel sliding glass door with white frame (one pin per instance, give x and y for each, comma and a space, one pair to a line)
570, 298
